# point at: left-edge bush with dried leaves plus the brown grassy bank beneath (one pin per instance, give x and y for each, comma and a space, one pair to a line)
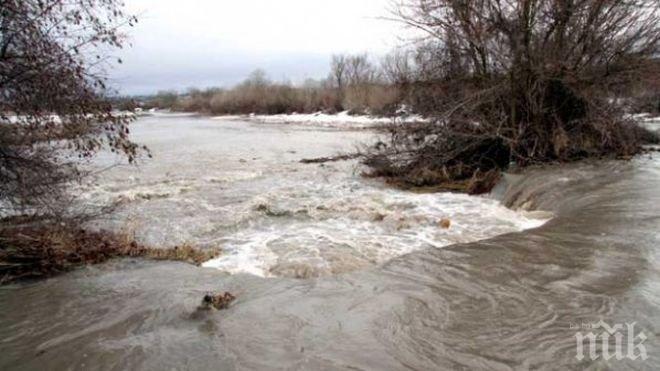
54, 112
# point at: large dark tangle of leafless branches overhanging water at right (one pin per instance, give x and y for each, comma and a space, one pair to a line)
522, 81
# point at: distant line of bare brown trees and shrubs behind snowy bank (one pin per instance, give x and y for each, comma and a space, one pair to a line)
420, 79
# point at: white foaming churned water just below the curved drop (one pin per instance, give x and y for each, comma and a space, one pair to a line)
344, 232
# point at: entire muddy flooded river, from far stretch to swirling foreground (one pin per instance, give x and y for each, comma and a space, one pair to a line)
334, 271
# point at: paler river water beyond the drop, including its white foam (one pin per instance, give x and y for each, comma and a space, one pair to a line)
240, 186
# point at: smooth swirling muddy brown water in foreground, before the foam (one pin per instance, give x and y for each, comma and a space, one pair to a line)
507, 303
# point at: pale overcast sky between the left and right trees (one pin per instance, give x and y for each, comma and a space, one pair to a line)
201, 43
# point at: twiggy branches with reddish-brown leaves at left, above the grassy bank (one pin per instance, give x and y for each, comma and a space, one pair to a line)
51, 81
